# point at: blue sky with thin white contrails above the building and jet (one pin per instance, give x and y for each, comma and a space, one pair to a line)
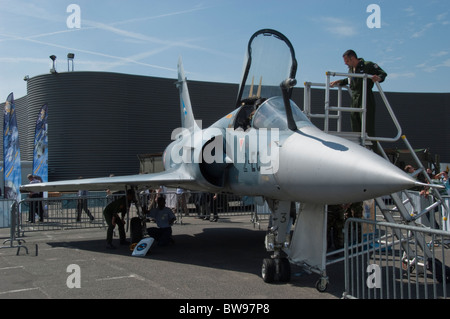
146, 37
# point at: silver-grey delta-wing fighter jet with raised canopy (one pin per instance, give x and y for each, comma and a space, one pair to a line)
266, 148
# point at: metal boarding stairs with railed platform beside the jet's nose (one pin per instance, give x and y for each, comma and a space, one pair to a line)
398, 212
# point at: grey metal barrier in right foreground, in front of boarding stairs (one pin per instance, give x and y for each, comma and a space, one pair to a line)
387, 261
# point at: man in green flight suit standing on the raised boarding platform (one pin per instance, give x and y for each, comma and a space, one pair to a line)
356, 65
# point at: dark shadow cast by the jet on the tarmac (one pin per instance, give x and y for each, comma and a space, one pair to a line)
226, 248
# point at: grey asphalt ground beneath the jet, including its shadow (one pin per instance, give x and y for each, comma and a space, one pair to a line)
215, 261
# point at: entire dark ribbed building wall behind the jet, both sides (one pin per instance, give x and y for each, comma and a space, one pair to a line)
99, 122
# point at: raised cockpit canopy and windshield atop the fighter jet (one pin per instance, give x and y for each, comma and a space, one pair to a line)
270, 61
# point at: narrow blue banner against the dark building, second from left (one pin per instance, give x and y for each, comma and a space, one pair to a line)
40, 154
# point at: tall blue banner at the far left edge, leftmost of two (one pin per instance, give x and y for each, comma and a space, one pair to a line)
11, 151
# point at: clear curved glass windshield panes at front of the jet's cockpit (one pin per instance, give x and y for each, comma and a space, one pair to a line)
272, 114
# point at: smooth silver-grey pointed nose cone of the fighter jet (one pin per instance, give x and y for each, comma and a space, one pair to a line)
335, 171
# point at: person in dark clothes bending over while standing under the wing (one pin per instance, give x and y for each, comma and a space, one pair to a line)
111, 214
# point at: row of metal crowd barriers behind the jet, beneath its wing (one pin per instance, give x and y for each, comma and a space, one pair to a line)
71, 212
